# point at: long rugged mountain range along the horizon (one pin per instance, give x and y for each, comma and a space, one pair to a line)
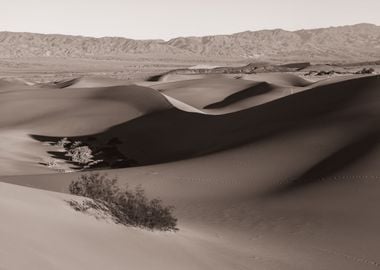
359, 42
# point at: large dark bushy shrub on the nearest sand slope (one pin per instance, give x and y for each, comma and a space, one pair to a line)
127, 206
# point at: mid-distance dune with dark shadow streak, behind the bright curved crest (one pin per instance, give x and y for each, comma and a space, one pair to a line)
218, 92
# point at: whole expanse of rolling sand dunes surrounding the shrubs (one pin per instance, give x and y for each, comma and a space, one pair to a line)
266, 171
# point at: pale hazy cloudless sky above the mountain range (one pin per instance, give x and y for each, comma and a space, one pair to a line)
143, 19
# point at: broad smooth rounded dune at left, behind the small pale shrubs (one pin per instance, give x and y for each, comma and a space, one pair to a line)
70, 112
